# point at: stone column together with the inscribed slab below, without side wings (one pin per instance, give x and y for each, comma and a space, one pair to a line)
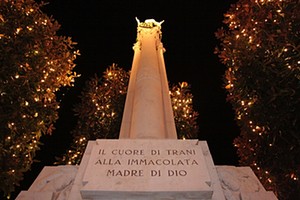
147, 161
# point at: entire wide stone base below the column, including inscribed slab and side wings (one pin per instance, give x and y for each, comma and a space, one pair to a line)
146, 169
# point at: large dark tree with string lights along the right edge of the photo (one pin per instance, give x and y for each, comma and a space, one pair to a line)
260, 48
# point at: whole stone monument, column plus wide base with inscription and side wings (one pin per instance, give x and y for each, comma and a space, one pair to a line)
147, 161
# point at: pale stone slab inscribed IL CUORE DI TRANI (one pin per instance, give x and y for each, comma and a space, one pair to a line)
135, 169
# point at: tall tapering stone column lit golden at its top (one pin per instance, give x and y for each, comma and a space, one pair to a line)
148, 111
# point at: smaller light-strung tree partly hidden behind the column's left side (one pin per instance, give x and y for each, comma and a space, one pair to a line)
99, 112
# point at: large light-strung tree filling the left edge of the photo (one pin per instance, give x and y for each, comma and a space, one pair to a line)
34, 64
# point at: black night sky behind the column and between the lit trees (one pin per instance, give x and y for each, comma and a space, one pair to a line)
105, 31
